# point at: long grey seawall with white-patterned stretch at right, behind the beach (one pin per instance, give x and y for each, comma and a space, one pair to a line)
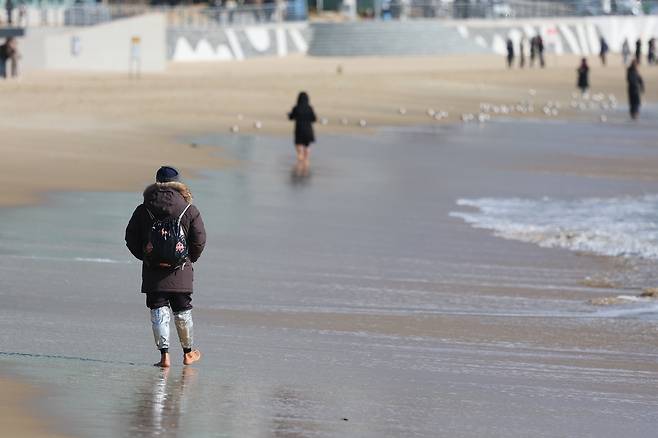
442, 37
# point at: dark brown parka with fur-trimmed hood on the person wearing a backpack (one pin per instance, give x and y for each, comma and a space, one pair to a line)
166, 200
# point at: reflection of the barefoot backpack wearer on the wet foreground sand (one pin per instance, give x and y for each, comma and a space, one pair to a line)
161, 403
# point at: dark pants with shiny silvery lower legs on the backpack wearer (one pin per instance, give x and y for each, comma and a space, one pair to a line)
181, 306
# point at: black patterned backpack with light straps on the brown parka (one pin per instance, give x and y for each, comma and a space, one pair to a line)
167, 245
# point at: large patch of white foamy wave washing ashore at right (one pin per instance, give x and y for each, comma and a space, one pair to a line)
625, 226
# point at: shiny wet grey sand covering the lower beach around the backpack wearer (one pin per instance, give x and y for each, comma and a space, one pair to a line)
350, 294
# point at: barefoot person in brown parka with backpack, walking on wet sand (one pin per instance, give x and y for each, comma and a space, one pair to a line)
167, 233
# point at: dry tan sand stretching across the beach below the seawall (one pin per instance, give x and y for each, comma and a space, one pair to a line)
107, 132
